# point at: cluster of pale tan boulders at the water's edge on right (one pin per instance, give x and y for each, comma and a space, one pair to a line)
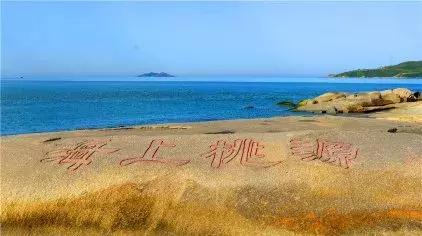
337, 102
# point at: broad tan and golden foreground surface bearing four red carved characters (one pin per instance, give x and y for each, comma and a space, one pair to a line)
295, 175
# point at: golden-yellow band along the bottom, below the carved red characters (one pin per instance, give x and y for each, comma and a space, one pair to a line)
185, 207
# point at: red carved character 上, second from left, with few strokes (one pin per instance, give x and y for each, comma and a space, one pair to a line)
151, 154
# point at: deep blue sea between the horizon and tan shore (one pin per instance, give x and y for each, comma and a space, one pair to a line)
42, 106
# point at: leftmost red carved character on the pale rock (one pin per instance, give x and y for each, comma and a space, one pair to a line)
78, 155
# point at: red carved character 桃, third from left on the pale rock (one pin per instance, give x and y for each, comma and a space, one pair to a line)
247, 151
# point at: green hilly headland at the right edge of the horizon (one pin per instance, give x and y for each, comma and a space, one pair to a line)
409, 69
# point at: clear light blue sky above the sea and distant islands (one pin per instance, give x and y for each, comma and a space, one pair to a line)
206, 38
